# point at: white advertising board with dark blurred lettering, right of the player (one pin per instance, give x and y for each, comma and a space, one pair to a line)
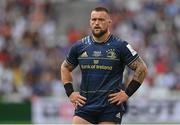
142, 110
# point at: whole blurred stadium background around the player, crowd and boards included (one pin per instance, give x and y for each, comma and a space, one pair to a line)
35, 35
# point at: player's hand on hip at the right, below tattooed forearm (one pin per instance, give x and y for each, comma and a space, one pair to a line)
118, 97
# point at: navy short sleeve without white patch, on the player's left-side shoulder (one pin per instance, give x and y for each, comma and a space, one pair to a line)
72, 56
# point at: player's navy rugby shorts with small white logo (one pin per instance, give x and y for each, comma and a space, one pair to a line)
110, 113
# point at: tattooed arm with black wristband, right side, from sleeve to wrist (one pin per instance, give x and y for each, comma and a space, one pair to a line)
140, 71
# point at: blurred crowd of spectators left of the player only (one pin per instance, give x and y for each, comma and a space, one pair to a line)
29, 61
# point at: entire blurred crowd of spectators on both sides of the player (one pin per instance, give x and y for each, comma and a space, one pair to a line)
30, 60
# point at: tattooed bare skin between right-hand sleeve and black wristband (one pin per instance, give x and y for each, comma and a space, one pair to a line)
140, 69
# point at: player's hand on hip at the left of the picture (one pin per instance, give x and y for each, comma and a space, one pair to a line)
77, 99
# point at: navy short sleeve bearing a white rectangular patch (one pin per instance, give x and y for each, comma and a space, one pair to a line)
129, 55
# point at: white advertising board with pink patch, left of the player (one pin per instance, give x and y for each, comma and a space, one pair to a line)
51, 111
